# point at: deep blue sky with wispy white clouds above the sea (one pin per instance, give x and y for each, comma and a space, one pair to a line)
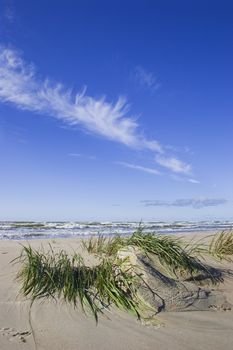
116, 110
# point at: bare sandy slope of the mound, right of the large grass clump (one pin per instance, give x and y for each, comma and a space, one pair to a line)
165, 293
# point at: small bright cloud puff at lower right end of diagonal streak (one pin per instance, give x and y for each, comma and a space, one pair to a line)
174, 164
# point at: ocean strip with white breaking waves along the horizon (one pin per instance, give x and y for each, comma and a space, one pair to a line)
15, 230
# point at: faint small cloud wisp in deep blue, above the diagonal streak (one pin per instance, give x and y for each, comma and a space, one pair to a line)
146, 79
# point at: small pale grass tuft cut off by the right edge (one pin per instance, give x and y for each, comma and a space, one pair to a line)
221, 246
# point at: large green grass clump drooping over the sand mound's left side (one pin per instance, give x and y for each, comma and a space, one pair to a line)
57, 275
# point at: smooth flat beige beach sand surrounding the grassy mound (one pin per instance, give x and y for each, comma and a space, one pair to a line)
53, 325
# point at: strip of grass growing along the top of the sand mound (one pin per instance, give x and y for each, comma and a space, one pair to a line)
171, 252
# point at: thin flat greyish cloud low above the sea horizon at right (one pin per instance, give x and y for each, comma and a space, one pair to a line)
196, 203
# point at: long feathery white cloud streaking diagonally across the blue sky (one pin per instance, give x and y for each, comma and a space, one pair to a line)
21, 87
